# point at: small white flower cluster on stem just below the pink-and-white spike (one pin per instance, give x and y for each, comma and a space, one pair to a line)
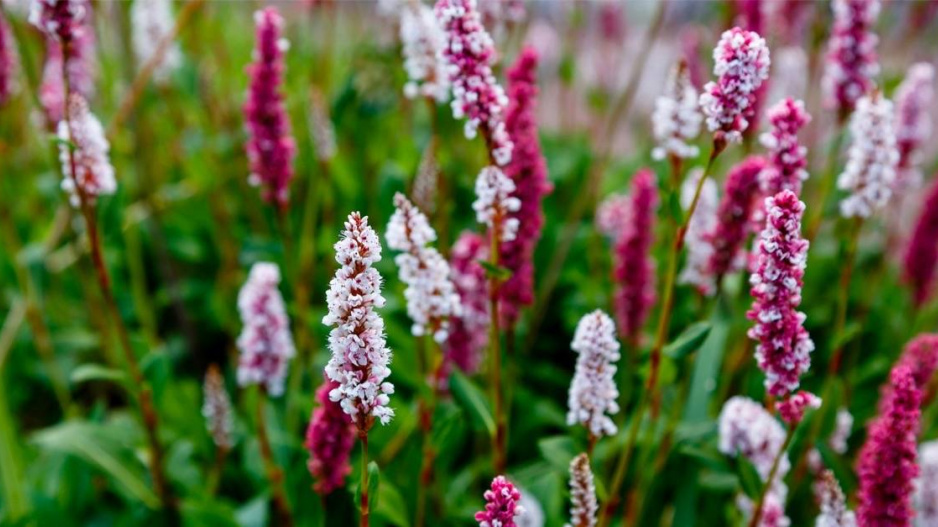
495, 203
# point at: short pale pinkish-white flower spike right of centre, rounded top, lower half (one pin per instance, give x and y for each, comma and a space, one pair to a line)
593, 393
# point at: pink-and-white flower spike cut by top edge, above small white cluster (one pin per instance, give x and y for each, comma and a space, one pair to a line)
477, 96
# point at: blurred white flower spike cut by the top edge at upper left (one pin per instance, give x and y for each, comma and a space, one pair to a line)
152, 22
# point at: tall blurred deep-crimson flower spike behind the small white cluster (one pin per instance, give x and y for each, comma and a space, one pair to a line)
528, 171
